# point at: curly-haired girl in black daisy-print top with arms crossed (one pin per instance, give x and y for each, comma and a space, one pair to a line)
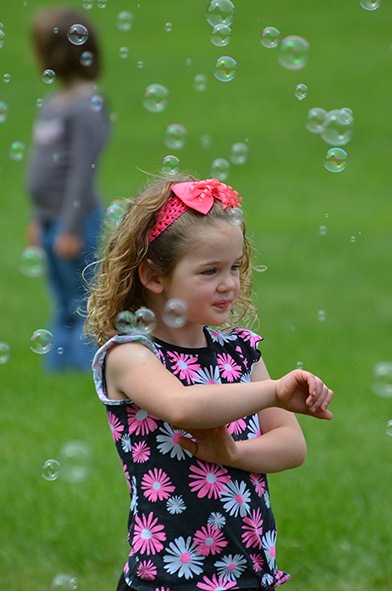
195, 459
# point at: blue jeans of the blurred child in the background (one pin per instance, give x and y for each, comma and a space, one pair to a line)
72, 349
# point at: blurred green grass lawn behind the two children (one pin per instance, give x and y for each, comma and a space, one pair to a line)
333, 513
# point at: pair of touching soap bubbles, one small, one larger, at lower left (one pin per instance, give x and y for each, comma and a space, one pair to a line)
73, 464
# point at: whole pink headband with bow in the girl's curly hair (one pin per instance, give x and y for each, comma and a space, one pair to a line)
199, 196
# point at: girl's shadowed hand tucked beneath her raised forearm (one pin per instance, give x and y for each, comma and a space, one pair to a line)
211, 445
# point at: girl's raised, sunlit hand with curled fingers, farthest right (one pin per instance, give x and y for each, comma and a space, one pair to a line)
302, 392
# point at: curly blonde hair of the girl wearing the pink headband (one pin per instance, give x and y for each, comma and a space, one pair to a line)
117, 287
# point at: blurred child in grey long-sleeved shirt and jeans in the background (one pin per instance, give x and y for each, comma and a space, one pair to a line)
69, 134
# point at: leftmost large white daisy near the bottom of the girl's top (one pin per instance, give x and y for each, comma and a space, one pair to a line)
182, 558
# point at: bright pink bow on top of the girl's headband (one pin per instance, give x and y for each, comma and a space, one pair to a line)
200, 195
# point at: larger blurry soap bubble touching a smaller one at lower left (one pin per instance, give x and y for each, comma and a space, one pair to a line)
75, 459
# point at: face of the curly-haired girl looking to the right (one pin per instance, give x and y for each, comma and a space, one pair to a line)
207, 277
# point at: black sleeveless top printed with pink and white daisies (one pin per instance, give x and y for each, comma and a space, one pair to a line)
192, 524
